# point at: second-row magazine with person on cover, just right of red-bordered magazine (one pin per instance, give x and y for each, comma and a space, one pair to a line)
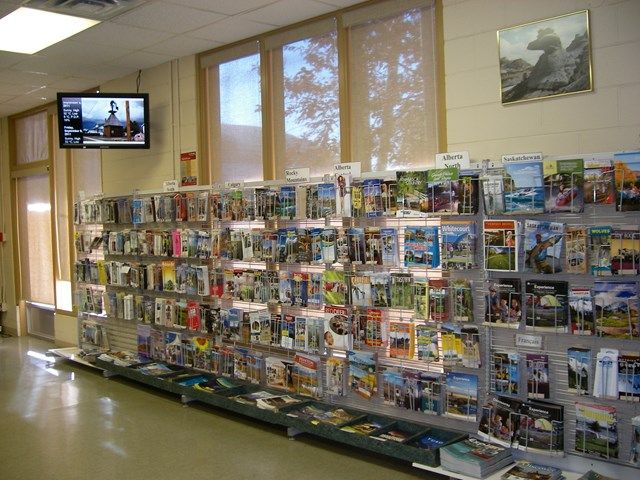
543, 246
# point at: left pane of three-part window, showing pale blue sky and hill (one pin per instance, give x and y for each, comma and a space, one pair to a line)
236, 119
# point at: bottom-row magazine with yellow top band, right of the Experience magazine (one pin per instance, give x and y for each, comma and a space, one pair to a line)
596, 430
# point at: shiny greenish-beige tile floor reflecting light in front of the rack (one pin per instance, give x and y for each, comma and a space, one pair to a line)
67, 422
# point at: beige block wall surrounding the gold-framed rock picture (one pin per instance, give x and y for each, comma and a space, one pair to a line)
605, 120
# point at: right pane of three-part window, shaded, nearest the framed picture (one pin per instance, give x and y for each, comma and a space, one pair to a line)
392, 89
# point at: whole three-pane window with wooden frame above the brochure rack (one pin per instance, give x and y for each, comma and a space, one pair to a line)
357, 85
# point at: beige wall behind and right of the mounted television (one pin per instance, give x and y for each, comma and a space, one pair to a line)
173, 115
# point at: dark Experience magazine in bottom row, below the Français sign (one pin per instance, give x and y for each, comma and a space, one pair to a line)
541, 427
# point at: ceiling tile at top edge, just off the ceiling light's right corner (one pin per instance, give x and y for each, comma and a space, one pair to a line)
168, 18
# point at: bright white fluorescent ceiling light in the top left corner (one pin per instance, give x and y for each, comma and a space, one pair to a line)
27, 30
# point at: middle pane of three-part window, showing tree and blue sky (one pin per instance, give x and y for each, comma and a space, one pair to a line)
307, 93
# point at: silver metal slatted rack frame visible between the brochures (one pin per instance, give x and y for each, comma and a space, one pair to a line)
122, 333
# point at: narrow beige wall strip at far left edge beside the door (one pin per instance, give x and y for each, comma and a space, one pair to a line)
8, 319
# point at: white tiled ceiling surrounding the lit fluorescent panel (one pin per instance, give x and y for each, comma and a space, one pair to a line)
151, 33
